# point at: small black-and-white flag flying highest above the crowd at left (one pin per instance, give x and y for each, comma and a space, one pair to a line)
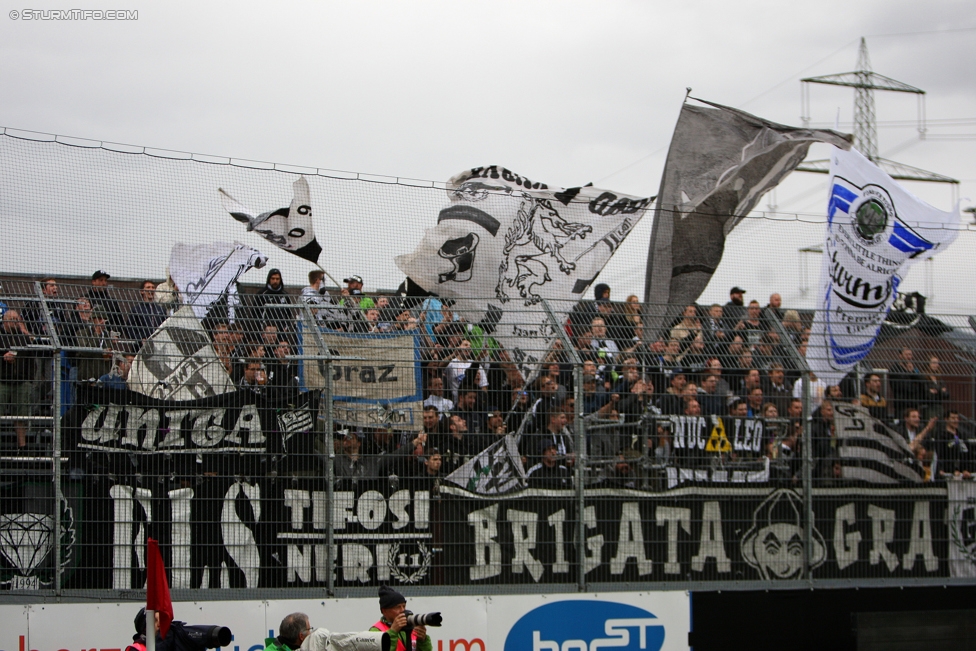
287, 228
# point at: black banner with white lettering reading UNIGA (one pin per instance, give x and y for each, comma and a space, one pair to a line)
242, 421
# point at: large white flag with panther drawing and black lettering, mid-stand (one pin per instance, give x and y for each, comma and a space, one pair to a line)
505, 243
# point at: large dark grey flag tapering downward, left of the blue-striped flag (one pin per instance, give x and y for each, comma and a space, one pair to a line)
720, 164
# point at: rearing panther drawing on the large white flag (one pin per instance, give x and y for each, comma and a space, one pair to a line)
536, 236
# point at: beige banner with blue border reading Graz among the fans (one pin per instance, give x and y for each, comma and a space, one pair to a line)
377, 385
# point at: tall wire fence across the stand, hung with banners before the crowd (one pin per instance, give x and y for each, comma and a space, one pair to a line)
288, 441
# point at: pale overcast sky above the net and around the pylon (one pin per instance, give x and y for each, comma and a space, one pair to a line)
565, 93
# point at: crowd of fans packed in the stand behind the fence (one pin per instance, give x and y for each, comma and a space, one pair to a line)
727, 366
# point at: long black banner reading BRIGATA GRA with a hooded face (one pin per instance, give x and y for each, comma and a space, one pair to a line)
696, 534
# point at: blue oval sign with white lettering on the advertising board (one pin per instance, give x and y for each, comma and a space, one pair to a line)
579, 625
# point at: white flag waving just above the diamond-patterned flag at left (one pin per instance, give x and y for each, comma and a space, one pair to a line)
206, 273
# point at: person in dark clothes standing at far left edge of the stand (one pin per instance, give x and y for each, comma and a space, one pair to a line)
16, 373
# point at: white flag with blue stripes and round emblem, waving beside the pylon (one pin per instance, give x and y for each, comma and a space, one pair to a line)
876, 230
